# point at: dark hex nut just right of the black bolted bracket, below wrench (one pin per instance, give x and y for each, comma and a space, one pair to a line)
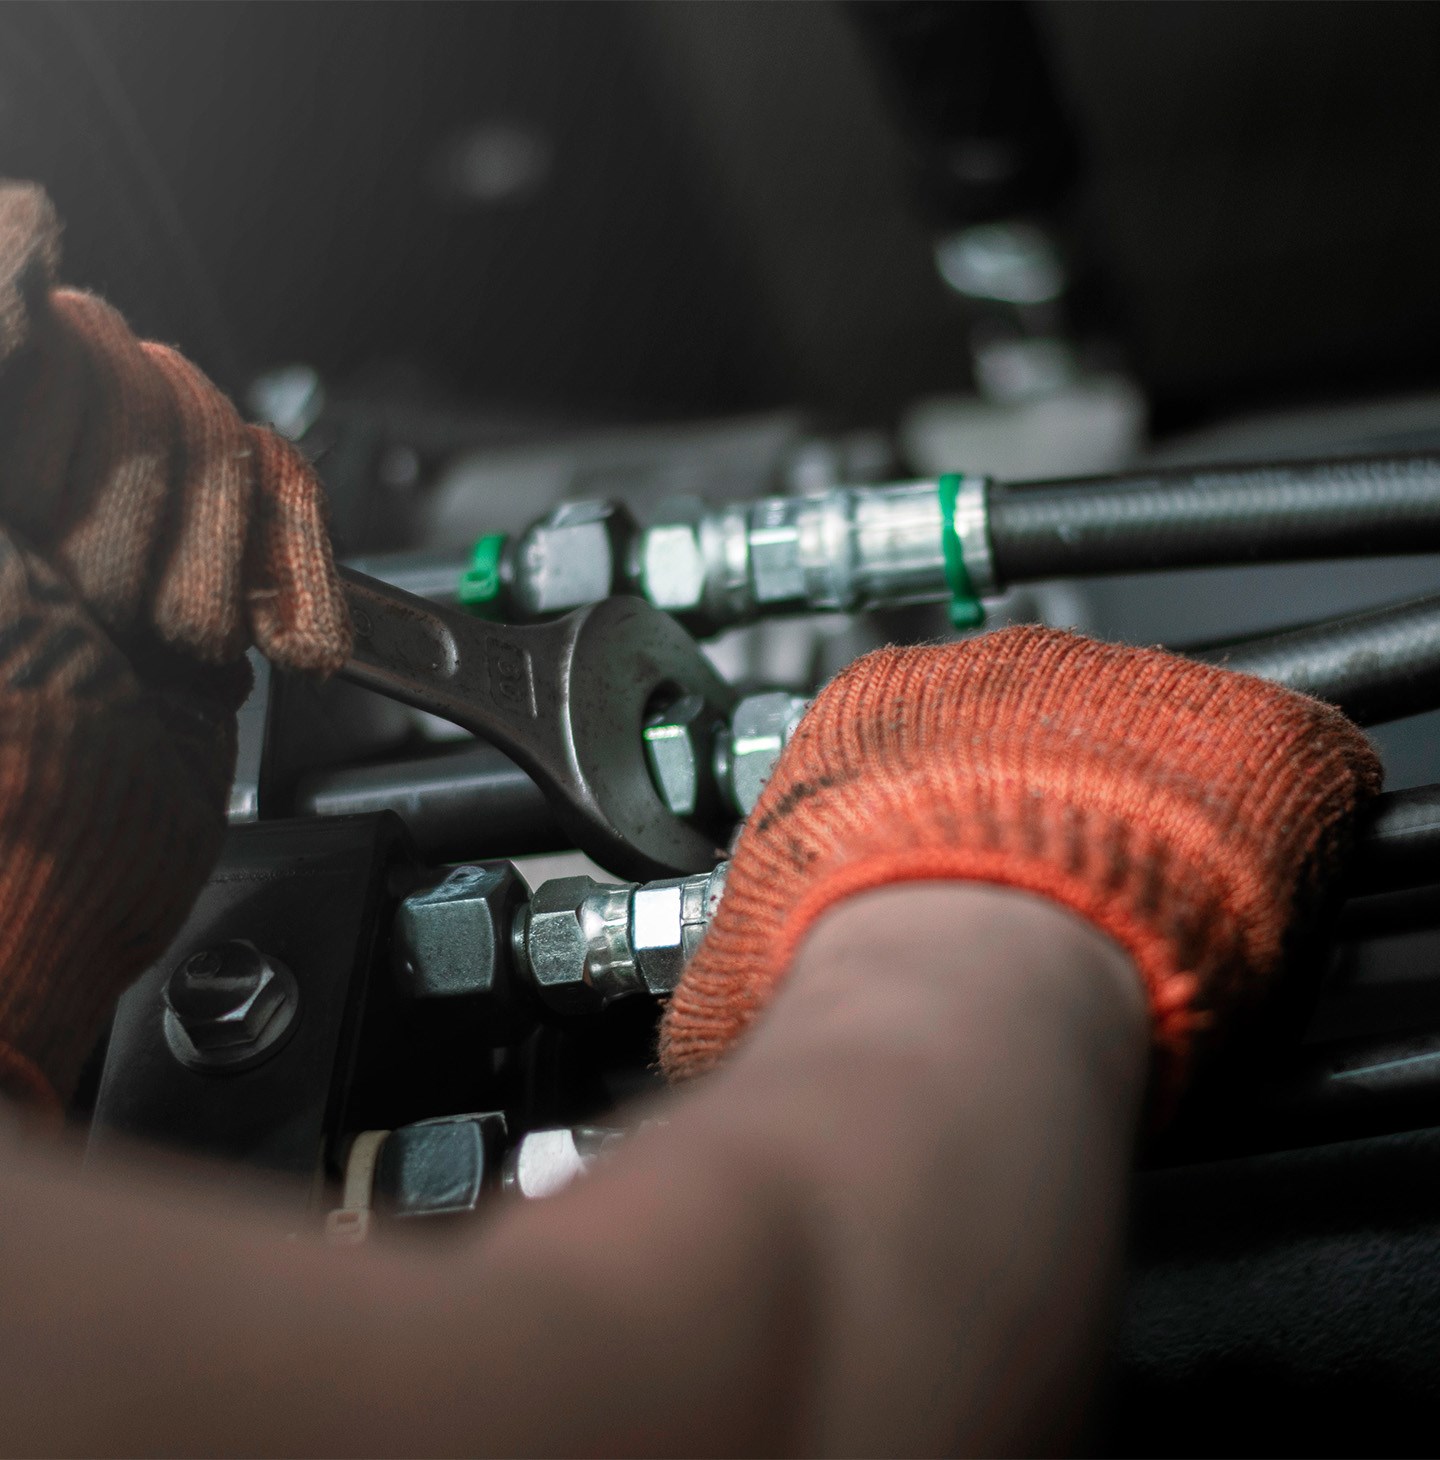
453, 942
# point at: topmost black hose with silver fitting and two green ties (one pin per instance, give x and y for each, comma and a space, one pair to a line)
957, 538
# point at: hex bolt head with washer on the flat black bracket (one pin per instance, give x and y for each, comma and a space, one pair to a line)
229, 1008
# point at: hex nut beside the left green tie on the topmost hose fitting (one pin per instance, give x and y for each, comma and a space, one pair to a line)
573, 557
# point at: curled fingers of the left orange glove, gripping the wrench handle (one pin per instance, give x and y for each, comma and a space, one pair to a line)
132, 474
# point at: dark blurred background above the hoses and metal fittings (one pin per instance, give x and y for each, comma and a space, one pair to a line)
656, 211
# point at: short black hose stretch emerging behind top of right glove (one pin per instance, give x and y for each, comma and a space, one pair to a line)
1379, 665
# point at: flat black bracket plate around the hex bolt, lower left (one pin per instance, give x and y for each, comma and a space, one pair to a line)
319, 896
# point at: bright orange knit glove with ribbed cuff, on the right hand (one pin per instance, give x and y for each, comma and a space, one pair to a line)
1190, 812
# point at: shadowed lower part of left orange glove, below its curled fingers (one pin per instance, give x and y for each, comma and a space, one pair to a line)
113, 801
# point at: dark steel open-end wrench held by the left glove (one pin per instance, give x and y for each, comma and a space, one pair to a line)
566, 700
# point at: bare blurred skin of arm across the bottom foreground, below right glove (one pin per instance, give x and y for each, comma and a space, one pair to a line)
889, 1226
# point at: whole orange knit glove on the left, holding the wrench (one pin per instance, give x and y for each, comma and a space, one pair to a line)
148, 537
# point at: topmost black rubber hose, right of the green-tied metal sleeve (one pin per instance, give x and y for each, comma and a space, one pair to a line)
1211, 516
